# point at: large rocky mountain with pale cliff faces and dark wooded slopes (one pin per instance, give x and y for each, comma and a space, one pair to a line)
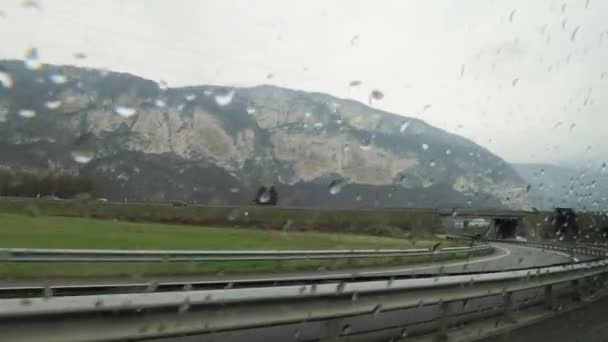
140, 140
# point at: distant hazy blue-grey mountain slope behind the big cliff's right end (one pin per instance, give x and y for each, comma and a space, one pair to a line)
558, 186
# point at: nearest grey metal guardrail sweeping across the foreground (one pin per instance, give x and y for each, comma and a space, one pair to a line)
331, 310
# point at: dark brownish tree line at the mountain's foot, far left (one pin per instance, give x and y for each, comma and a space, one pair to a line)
25, 184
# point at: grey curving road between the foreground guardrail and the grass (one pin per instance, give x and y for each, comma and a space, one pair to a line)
506, 256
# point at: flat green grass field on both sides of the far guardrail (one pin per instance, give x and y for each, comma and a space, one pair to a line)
63, 232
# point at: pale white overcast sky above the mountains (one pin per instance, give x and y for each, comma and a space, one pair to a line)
526, 79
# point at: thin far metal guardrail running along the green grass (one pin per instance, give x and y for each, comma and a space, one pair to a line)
100, 255
